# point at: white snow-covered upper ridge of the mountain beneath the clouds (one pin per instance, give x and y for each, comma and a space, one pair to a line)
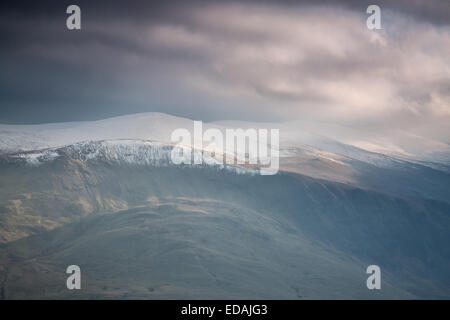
159, 127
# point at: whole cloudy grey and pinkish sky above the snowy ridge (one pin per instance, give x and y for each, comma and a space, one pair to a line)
222, 60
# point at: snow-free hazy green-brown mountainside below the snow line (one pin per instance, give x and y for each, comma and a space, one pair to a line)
197, 233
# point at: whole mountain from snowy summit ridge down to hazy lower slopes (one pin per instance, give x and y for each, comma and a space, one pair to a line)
106, 195
